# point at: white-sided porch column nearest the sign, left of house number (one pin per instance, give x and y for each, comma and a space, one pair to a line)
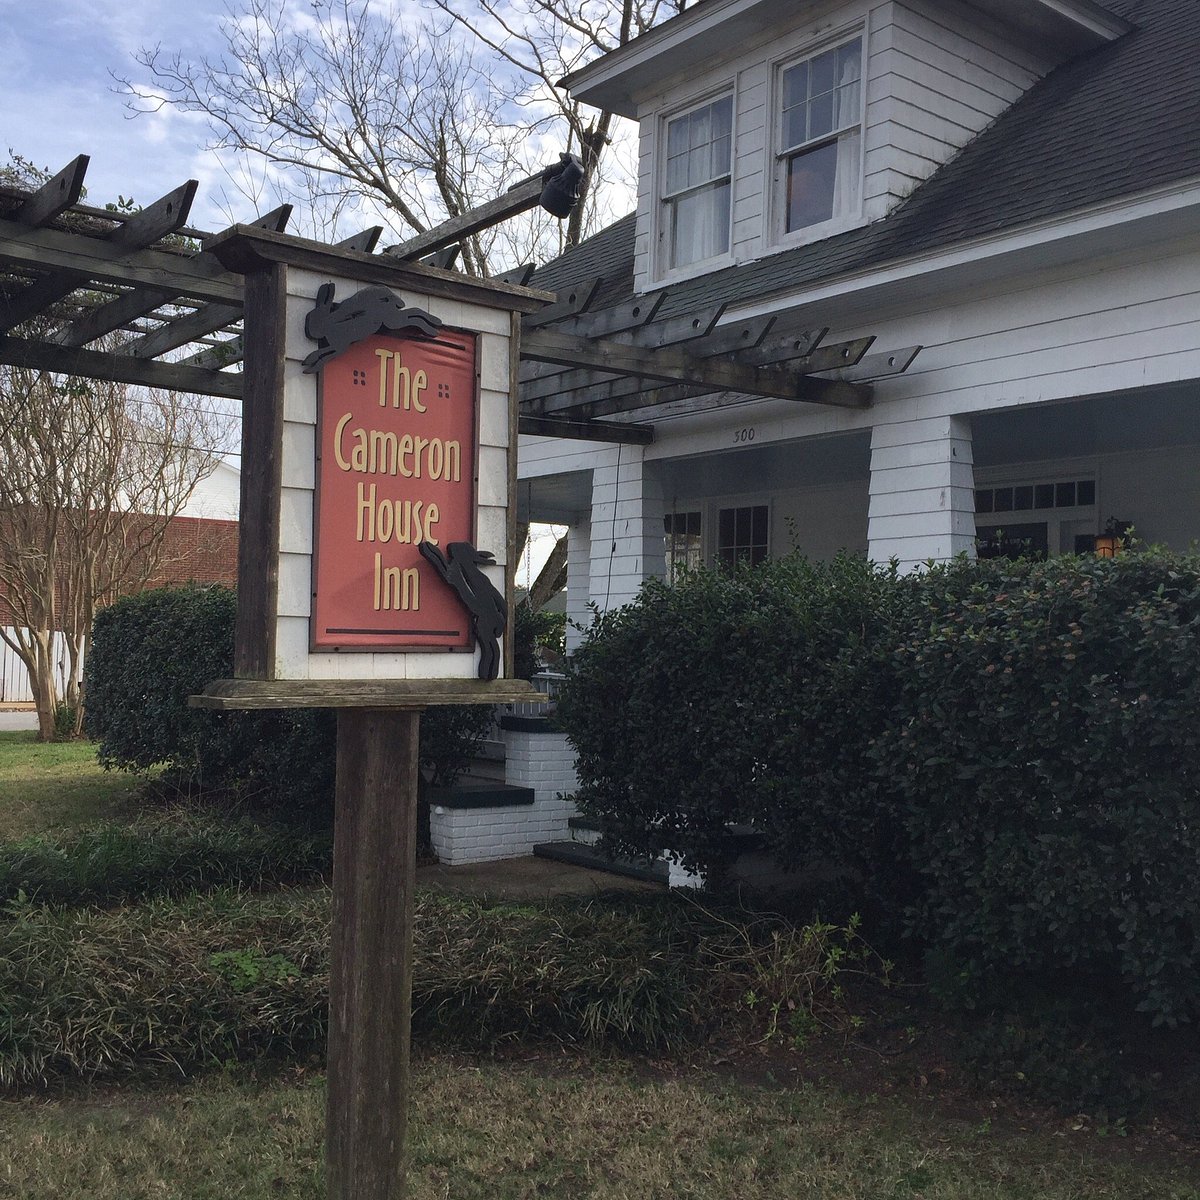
627, 527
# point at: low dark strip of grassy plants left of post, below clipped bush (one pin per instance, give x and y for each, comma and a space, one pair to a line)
159, 856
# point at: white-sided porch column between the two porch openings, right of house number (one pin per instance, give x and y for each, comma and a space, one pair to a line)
922, 503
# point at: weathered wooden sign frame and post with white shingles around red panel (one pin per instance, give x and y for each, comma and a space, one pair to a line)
293, 325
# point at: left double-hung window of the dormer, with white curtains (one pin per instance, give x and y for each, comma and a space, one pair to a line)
698, 185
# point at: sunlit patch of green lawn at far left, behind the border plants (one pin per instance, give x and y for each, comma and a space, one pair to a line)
57, 785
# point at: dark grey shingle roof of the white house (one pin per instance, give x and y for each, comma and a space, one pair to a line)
1118, 122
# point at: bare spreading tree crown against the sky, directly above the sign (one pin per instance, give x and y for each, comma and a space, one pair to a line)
346, 103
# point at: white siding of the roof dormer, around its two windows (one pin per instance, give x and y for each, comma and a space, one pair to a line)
935, 77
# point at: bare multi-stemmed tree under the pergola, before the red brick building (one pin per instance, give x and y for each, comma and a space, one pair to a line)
91, 477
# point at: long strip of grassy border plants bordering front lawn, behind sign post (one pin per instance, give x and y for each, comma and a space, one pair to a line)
206, 981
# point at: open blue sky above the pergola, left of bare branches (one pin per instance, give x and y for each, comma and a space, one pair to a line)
58, 98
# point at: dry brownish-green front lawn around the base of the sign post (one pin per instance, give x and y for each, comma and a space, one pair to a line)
571, 1129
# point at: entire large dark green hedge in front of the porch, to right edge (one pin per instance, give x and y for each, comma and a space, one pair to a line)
1006, 755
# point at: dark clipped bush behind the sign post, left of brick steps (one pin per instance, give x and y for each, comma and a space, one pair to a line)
151, 652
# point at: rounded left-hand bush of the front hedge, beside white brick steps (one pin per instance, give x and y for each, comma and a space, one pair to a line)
747, 697
